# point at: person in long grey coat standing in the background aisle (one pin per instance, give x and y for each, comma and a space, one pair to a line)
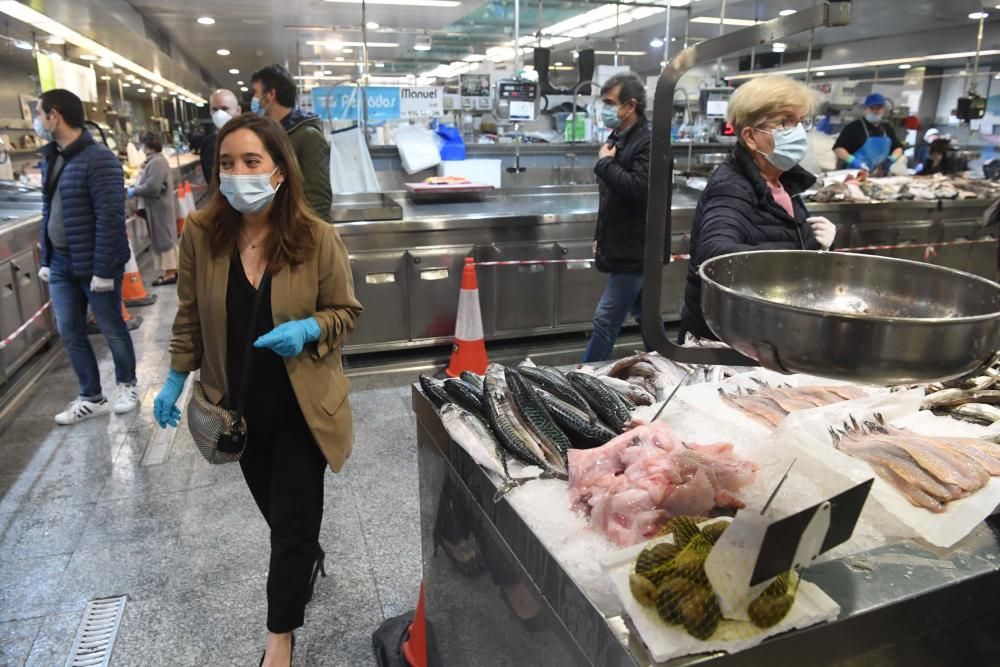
156, 190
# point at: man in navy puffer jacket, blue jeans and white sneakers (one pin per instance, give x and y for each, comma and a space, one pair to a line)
84, 250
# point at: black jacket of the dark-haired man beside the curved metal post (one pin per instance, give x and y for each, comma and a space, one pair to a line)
621, 219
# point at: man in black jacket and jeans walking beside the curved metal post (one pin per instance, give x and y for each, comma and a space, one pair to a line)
623, 177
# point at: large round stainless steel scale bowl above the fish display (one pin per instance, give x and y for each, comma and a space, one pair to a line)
855, 317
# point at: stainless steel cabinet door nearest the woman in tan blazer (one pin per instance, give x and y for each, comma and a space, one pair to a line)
380, 285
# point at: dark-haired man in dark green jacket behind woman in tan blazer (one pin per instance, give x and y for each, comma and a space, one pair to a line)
274, 93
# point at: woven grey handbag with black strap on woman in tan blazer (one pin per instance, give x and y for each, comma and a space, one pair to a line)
220, 434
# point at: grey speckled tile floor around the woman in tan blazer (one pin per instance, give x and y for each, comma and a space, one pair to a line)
81, 517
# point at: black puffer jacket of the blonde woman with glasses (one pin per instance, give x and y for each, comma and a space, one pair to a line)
737, 213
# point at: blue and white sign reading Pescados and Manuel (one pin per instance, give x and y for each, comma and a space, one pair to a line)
384, 102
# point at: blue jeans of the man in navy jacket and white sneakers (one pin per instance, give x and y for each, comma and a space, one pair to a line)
70, 297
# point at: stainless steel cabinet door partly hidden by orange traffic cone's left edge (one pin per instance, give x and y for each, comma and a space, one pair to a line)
435, 277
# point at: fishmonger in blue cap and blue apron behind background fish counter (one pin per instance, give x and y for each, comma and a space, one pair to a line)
868, 143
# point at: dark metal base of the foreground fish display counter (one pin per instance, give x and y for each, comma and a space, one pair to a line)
903, 604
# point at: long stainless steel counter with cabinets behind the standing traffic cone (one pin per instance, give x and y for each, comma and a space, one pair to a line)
407, 272
